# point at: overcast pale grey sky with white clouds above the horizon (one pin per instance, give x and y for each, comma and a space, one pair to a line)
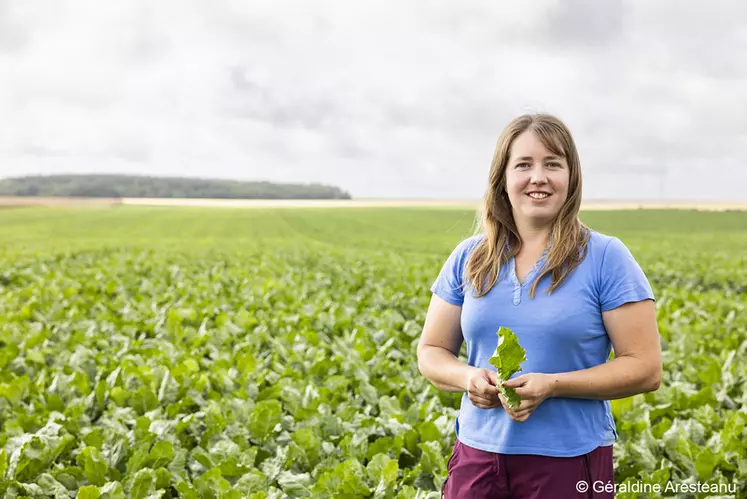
382, 99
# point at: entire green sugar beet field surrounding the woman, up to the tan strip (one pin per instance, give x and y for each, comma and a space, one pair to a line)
230, 353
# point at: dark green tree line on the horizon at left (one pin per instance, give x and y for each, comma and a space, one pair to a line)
136, 186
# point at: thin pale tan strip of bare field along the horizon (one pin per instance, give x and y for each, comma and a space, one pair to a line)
11, 201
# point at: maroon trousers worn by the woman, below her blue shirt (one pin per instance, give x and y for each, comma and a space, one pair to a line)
476, 474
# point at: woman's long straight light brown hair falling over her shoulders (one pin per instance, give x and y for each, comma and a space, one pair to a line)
569, 236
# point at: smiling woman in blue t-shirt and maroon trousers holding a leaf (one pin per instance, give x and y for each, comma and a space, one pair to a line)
569, 294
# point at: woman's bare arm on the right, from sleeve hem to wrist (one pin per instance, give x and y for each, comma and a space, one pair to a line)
636, 367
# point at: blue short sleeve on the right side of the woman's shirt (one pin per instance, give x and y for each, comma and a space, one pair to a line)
621, 278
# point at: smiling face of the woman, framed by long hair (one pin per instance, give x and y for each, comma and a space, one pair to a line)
536, 180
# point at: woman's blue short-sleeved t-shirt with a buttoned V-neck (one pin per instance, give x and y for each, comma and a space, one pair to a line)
560, 332
